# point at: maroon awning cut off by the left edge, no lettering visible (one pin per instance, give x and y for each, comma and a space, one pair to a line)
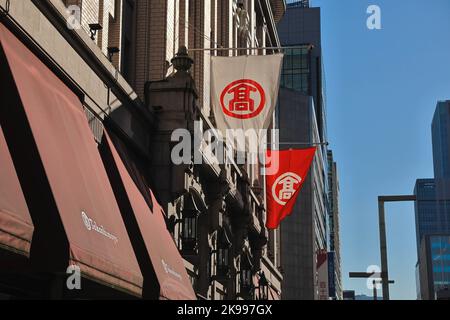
16, 227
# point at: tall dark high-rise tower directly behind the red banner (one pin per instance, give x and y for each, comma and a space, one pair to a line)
301, 120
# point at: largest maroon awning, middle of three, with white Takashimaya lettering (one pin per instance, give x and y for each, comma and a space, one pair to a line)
76, 216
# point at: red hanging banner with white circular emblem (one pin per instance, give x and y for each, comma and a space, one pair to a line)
283, 186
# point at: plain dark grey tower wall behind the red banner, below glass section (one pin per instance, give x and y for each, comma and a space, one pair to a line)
297, 237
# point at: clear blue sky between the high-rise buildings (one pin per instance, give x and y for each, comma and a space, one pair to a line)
382, 89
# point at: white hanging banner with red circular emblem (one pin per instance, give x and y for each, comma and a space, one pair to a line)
244, 92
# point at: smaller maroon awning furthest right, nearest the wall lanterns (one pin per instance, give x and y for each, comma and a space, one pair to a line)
155, 248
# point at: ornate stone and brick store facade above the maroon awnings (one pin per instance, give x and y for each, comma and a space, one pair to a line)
141, 92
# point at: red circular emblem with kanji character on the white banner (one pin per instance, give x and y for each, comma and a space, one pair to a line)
243, 99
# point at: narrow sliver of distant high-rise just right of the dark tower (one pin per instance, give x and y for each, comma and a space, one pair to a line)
333, 228
